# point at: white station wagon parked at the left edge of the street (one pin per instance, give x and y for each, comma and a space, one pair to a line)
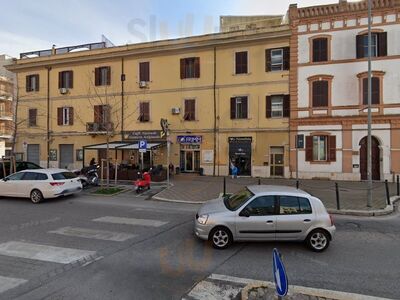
40, 184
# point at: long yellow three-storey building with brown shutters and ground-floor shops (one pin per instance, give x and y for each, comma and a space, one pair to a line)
225, 96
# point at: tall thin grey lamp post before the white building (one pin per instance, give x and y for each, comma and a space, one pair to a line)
369, 139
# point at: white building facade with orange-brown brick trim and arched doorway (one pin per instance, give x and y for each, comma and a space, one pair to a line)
328, 90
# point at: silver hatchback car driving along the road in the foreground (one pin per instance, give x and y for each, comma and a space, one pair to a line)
265, 213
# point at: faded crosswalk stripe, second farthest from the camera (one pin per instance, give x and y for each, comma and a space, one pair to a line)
94, 234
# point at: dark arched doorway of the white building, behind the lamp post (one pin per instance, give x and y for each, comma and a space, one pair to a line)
375, 159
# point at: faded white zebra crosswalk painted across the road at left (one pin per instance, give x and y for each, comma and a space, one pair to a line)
24, 252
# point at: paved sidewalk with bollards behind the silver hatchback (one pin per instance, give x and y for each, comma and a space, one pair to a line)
353, 195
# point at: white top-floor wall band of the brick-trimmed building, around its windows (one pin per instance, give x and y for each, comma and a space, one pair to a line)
343, 43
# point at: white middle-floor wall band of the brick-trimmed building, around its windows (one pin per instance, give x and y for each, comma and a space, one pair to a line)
345, 84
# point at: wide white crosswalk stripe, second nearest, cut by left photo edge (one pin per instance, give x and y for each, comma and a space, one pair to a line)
43, 252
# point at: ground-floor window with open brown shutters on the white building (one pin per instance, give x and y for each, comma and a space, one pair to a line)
321, 148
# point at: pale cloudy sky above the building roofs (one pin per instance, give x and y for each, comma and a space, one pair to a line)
35, 25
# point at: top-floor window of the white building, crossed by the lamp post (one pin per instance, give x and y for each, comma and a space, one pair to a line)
378, 44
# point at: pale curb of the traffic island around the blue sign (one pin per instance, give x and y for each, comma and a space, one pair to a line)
320, 293
